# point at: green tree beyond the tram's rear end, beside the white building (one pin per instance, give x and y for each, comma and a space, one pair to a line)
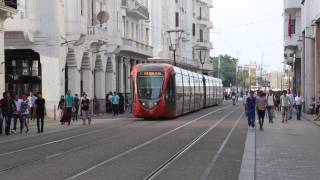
227, 71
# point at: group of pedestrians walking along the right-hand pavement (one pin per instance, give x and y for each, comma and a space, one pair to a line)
264, 104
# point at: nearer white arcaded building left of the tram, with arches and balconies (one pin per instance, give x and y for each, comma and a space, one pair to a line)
89, 46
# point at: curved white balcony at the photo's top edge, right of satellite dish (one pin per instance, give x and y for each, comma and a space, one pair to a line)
135, 9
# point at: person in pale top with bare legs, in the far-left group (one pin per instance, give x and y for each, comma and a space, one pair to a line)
24, 113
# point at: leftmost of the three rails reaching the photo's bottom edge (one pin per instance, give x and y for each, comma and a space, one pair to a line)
137, 147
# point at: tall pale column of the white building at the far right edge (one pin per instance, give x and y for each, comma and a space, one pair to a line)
310, 68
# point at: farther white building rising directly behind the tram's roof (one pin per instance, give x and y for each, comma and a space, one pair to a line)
184, 26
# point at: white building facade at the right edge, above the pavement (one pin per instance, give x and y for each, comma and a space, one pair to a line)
307, 40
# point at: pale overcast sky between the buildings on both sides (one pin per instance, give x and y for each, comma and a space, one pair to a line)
251, 30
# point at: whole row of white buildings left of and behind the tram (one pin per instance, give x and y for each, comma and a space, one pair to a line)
52, 46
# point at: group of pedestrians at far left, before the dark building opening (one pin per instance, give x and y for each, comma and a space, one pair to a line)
23, 109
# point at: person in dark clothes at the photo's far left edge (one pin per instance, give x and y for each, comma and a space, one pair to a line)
8, 108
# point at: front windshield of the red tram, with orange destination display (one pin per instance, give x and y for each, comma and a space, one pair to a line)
150, 85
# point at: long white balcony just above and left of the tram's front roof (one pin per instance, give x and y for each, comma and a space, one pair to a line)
134, 46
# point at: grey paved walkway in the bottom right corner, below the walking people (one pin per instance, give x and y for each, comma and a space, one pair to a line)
288, 151
